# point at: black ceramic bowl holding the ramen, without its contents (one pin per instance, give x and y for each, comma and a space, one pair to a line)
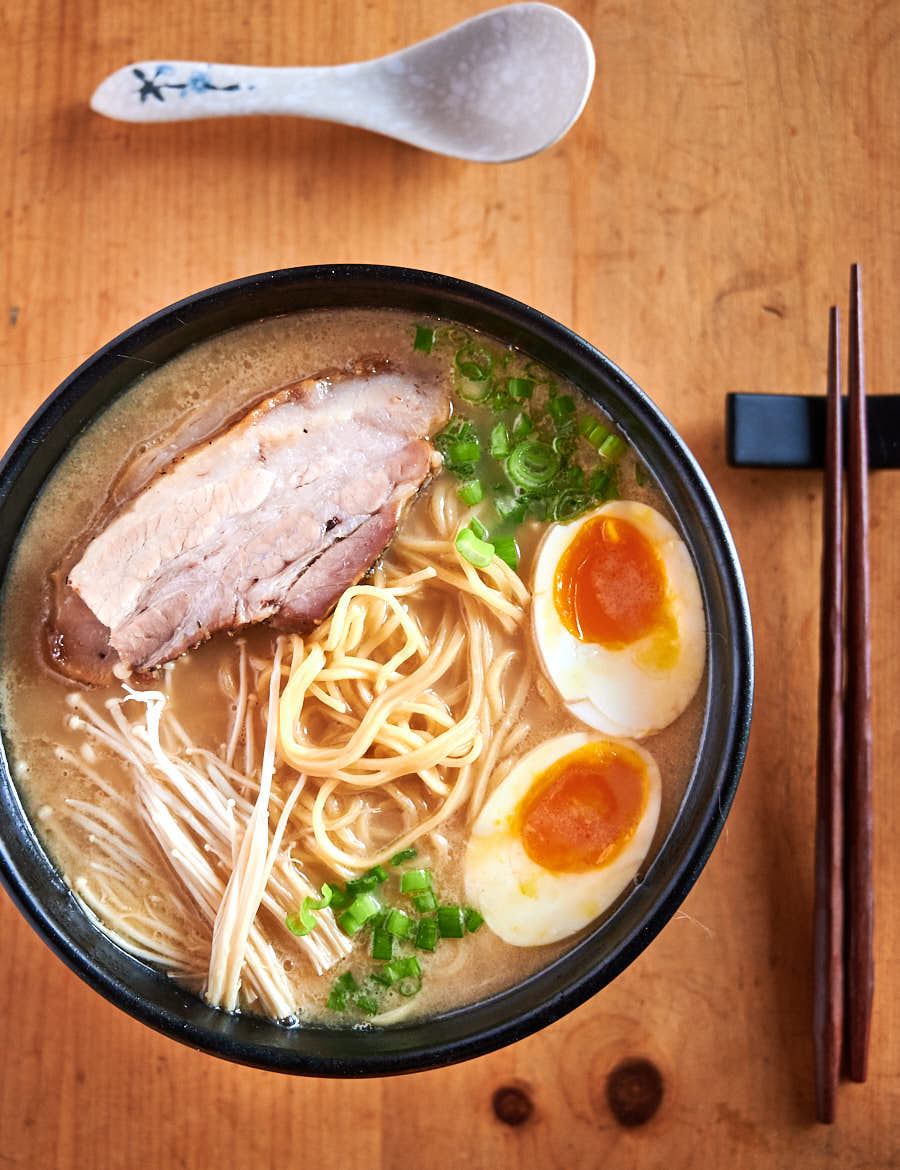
45, 899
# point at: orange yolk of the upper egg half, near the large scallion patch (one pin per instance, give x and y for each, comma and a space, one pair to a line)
610, 586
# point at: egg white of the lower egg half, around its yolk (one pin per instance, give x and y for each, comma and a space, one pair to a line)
521, 901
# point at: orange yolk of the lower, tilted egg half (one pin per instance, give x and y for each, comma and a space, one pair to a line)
582, 813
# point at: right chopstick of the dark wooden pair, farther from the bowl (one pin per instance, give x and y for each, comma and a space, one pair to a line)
858, 775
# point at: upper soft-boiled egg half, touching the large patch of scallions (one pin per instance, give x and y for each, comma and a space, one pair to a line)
619, 618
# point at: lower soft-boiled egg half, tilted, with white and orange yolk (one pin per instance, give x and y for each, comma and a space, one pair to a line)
562, 837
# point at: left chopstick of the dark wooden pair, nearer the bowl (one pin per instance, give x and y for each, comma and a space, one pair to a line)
829, 923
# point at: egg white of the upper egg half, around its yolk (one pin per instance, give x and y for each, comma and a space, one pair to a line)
622, 692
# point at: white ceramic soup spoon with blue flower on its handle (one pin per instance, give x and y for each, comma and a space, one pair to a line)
493, 90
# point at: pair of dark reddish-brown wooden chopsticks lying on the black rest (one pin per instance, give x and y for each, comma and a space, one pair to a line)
844, 969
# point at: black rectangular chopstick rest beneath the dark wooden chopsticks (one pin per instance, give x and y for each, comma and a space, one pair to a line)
789, 430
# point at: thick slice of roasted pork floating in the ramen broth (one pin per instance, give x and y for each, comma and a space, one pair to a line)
245, 527
